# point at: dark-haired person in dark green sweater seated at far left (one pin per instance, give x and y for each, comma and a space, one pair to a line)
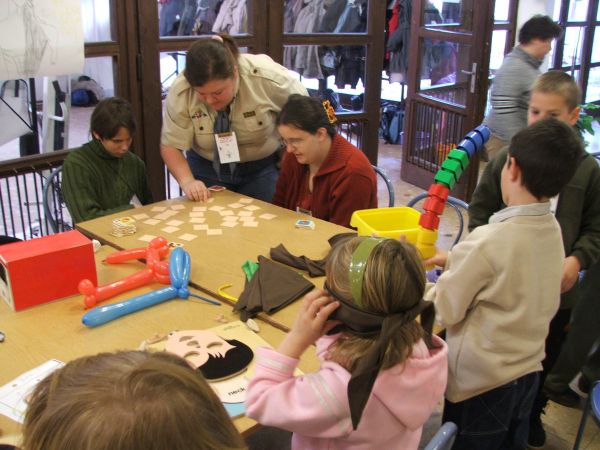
103, 177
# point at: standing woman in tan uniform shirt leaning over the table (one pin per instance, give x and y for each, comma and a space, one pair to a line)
222, 90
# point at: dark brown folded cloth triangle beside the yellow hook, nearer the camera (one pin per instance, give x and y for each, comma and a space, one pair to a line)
272, 287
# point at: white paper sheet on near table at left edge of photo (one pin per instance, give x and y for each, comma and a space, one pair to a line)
13, 395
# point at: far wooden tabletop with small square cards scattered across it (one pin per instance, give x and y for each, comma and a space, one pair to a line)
217, 260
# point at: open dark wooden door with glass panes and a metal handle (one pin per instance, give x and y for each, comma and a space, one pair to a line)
447, 85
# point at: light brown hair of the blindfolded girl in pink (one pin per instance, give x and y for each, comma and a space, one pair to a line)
393, 281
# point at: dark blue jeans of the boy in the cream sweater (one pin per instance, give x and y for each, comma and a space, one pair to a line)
496, 419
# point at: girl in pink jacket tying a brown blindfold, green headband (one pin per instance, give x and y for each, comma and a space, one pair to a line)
381, 374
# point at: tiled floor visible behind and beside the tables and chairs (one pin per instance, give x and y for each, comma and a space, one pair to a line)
561, 423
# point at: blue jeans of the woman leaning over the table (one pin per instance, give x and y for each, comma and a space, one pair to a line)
254, 178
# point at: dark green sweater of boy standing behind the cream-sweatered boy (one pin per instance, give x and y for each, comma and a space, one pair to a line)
577, 211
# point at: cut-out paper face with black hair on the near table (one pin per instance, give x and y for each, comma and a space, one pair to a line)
214, 356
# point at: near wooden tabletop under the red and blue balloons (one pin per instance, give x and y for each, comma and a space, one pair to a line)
54, 330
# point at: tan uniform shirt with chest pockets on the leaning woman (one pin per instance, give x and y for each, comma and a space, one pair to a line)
263, 88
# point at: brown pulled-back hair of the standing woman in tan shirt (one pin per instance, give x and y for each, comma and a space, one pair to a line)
211, 59
